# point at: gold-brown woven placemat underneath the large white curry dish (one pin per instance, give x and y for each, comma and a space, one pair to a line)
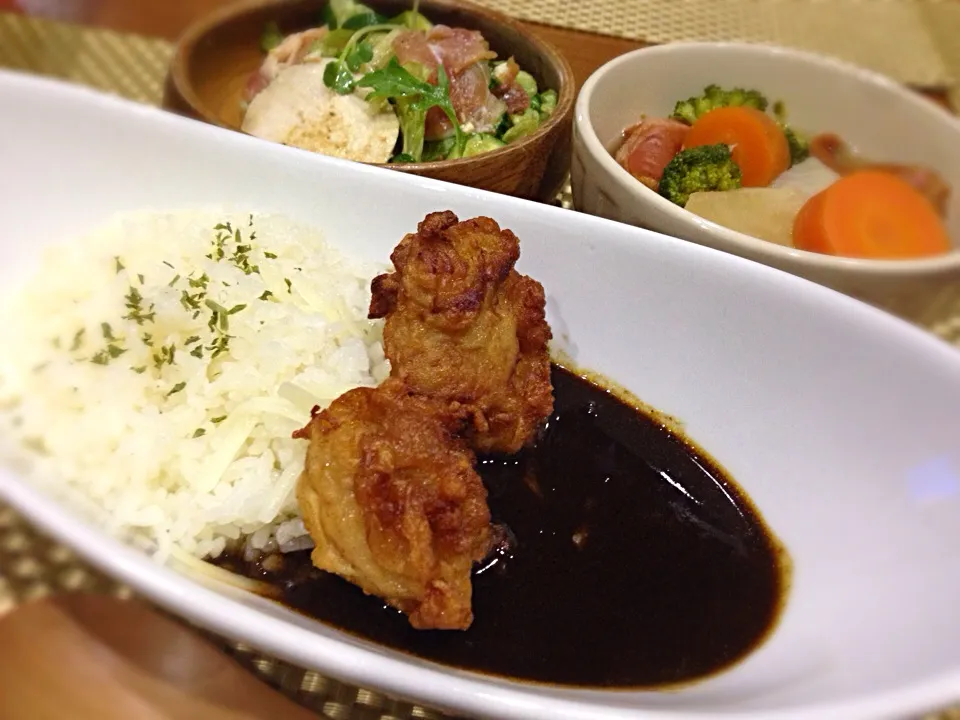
32, 566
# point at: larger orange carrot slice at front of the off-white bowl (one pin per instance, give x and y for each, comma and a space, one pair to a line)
870, 214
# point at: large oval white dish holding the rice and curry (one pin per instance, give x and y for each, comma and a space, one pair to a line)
838, 420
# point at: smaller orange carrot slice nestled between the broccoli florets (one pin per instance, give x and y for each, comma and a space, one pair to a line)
757, 143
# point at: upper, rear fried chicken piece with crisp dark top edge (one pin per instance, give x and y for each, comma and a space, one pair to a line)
464, 327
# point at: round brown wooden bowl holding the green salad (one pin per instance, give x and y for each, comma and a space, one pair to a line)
216, 55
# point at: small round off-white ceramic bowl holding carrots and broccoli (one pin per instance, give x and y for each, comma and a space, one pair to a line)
880, 118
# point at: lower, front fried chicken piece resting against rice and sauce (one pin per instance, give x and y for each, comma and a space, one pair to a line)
390, 496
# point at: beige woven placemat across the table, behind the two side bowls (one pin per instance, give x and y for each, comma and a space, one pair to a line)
890, 36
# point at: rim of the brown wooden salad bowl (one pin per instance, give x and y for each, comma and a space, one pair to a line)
566, 94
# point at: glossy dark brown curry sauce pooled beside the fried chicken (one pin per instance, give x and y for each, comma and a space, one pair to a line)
630, 561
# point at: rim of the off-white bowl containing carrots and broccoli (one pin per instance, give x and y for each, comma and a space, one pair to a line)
734, 240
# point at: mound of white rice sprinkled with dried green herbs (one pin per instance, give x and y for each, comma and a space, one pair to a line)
197, 451
